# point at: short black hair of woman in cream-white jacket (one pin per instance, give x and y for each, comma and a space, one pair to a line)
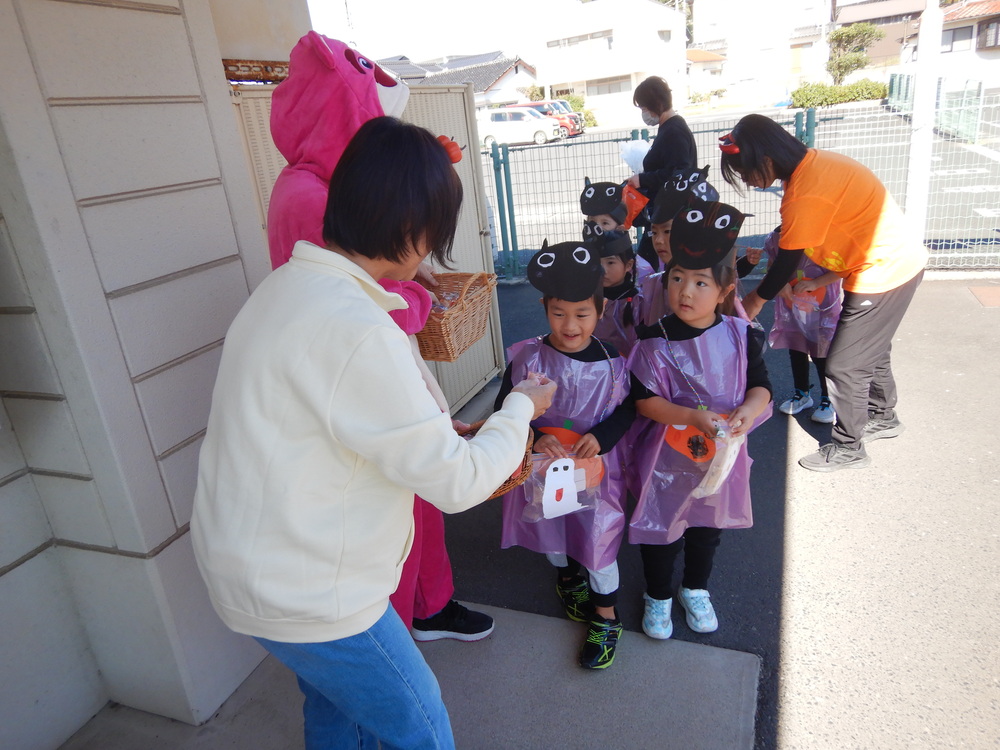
393, 187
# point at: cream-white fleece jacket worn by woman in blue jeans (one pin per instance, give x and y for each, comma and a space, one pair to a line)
320, 433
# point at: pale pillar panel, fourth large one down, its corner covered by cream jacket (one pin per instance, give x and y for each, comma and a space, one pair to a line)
167, 321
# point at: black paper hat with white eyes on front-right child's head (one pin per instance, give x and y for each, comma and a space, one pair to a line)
703, 233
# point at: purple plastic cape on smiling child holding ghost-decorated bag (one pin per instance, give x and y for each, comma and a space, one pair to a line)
588, 393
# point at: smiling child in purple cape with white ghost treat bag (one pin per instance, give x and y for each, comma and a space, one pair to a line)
588, 417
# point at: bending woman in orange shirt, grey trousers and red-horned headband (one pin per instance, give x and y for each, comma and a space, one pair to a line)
837, 212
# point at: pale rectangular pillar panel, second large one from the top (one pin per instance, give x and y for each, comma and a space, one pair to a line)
150, 144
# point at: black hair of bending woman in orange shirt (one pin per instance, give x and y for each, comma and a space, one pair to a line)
758, 137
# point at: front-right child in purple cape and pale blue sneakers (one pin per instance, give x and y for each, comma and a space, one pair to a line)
700, 385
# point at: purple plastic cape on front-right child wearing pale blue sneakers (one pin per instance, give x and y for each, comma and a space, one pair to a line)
660, 476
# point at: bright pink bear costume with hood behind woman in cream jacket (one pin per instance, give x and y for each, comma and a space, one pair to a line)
330, 92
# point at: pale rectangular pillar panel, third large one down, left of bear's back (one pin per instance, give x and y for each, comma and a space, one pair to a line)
141, 239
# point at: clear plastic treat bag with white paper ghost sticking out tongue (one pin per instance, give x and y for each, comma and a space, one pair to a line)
560, 486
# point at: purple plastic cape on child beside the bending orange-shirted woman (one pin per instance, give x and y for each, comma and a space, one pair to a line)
803, 326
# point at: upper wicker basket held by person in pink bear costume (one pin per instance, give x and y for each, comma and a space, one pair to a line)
448, 333
